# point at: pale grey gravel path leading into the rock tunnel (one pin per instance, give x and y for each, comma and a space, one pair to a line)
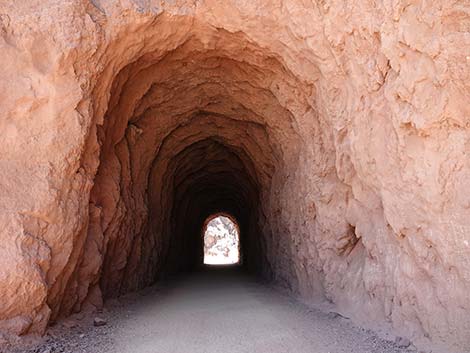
209, 312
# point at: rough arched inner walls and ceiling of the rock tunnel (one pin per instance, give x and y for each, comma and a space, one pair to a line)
206, 121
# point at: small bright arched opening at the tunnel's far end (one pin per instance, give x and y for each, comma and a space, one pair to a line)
221, 241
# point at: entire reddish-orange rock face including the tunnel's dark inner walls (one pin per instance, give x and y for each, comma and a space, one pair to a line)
337, 134
